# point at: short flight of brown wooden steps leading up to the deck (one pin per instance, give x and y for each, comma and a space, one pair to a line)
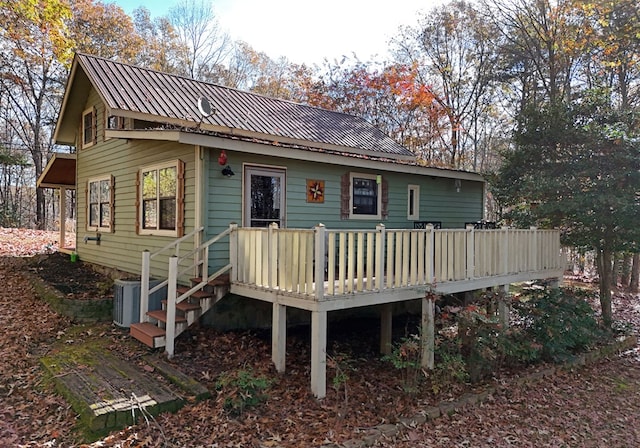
188, 312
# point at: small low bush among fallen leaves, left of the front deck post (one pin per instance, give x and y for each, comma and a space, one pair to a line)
241, 389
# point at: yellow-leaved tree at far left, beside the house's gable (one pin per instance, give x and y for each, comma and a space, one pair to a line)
34, 49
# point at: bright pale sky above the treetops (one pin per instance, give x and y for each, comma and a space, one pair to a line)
307, 31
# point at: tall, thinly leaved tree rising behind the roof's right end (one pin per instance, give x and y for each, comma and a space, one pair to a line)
455, 50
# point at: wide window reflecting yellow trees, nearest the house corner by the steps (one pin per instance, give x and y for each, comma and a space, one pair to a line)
161, 194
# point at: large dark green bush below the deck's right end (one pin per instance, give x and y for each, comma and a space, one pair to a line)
558, 320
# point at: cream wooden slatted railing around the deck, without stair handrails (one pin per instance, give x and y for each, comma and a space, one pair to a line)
319, 262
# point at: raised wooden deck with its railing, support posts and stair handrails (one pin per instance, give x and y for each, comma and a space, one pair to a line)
323, 270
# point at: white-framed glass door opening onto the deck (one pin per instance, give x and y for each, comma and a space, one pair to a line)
264, 196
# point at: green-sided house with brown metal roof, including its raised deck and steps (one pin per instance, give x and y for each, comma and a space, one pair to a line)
301, 207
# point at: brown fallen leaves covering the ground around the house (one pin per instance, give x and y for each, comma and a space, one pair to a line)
594, 406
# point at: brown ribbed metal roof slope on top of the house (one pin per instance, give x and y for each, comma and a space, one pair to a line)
165, 98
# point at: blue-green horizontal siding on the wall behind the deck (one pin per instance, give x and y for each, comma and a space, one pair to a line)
439, 200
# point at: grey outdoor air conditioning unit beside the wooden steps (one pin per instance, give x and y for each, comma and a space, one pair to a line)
126, 300
